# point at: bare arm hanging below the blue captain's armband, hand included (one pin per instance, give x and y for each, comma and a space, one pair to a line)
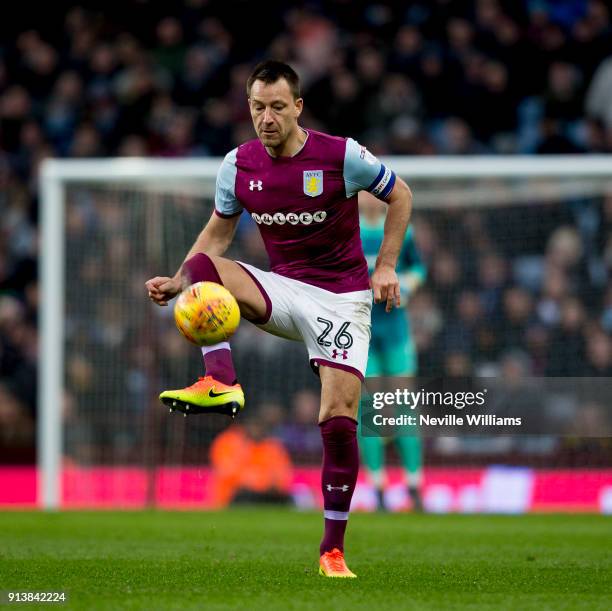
384, 280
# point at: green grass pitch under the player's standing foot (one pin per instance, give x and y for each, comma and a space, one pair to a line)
267, 559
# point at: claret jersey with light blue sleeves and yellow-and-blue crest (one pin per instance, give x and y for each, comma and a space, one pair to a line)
306, 206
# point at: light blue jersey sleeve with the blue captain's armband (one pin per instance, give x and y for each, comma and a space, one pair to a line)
364, 172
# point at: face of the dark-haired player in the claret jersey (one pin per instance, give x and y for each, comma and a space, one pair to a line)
274, 112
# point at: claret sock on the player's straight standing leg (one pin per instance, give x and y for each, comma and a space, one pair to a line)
339, 476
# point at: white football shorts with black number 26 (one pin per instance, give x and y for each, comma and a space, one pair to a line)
334, 326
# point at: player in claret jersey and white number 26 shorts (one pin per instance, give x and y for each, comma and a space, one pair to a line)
300, 186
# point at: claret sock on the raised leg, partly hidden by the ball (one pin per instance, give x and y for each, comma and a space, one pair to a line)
218, 358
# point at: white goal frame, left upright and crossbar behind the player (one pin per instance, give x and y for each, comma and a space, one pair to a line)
57, 175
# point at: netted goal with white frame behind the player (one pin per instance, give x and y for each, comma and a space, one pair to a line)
518, 253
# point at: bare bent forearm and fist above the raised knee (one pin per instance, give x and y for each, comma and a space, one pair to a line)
214, 239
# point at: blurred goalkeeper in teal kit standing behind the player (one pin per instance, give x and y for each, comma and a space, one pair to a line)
392, 351
